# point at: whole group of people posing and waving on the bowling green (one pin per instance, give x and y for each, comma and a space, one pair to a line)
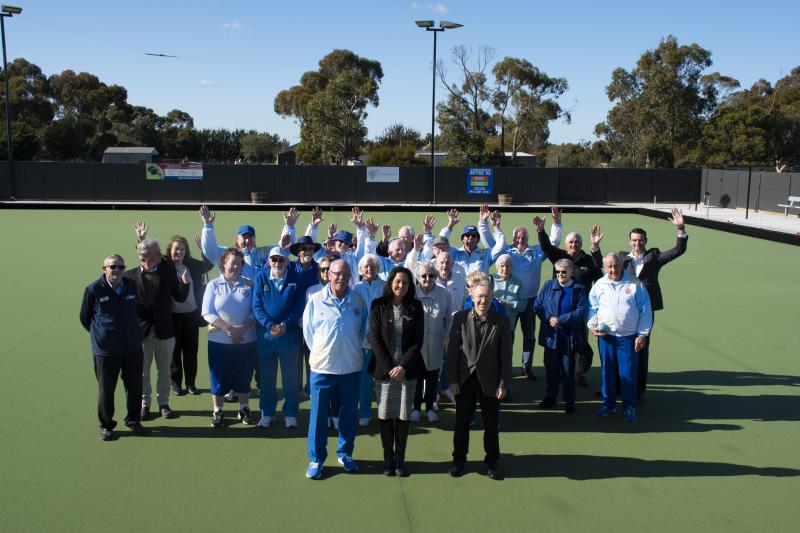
403, 320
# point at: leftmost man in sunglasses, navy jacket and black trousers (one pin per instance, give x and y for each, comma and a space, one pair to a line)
108, 313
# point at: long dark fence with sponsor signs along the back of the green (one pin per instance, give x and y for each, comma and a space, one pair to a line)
310, 184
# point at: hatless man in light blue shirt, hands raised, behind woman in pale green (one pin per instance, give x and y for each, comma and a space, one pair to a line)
527, 261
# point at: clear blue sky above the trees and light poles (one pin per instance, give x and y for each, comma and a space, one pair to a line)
236, 55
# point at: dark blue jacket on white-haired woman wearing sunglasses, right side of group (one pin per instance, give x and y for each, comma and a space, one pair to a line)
546, 305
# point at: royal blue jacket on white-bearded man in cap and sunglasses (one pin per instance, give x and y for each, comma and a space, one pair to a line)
272, 306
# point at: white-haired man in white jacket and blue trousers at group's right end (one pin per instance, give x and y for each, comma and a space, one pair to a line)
620, 317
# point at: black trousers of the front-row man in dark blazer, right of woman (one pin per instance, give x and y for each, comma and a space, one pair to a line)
465, 408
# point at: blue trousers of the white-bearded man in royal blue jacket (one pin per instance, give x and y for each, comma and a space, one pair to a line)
286, 350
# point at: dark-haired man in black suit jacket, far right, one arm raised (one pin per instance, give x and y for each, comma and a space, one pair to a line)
645, 264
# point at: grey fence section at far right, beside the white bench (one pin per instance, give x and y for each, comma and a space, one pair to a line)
729, 188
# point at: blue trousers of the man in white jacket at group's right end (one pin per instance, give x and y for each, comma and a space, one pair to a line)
617, 353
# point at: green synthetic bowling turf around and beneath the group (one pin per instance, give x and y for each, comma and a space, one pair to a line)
716, 447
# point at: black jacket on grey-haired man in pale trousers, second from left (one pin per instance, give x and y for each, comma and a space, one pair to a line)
154, 298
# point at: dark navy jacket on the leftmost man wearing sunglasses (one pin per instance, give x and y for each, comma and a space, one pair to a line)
110, 318
